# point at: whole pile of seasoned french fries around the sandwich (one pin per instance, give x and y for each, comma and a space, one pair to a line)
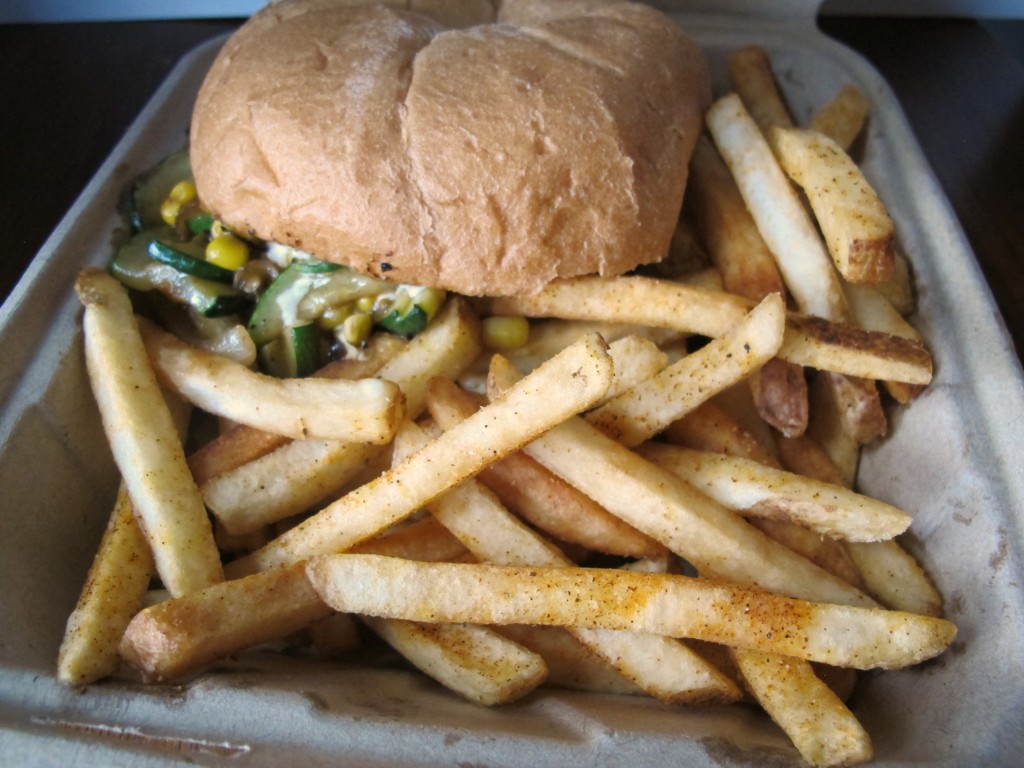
614, 507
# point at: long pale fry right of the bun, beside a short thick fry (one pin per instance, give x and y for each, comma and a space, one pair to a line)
781, 217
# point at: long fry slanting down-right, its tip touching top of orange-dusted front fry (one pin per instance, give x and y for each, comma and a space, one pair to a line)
715, 540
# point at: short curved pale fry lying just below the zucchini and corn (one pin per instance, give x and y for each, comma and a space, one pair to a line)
363, 411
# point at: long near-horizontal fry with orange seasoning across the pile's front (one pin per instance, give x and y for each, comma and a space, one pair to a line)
613, 600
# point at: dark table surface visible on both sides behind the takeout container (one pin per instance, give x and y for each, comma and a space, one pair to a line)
69, 92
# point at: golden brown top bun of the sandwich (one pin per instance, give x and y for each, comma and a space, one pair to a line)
486, 159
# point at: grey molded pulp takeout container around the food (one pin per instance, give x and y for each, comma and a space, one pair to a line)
954, 460
